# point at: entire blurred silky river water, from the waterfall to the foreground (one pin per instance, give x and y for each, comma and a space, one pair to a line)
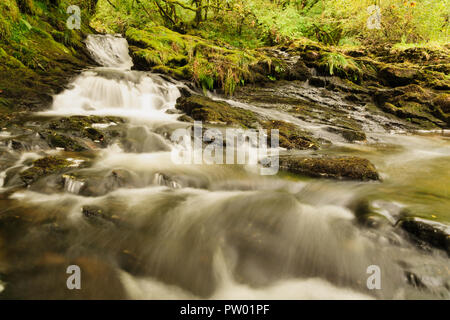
216, 231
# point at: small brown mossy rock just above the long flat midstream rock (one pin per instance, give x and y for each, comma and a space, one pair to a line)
290, 136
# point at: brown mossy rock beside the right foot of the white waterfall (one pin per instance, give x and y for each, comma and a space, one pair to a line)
205, 109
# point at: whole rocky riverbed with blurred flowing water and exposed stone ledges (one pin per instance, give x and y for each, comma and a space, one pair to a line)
363, 180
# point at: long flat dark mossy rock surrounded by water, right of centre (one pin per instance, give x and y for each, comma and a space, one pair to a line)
352, 168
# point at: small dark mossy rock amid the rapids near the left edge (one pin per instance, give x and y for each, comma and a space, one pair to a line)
43, 167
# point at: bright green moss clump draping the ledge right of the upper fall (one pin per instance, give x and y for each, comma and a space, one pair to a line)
208, 65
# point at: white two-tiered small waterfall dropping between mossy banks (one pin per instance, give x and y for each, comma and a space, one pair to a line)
114, 89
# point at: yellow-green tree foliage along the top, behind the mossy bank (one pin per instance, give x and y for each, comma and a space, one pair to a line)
255, 23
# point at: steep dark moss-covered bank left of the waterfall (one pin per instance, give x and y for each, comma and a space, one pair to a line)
38, 52
